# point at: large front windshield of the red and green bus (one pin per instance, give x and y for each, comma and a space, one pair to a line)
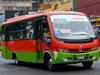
71, 27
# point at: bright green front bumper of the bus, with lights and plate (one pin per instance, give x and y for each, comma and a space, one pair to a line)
59, 57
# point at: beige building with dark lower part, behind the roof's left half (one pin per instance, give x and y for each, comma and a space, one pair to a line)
20, 7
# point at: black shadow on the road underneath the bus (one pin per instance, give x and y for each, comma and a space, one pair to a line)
59, 68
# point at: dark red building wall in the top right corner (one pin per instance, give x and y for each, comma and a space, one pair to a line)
89, 7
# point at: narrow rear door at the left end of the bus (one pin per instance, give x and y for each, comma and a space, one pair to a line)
7, 41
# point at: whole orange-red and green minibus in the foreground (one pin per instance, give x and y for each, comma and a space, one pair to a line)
60, 37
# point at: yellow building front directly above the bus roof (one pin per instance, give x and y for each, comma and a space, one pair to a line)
58, 5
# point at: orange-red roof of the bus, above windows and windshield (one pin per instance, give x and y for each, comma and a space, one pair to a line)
25, 17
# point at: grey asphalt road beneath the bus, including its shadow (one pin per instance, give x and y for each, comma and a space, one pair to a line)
7, 67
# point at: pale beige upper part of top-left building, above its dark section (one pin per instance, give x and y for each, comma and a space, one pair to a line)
19, 5
